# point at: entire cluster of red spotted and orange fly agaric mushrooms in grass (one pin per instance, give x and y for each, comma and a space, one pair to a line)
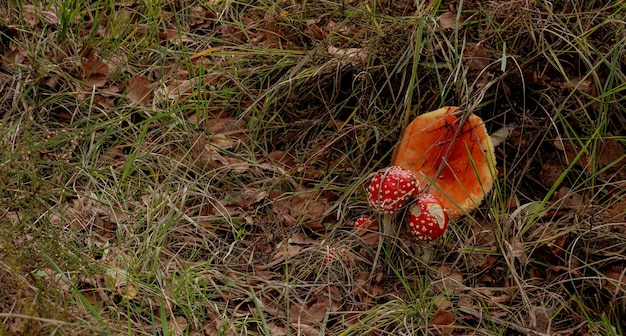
444, 160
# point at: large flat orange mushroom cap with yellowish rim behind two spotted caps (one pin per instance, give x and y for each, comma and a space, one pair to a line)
451, 152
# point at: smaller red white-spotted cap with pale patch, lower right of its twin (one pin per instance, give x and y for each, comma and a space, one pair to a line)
428, 220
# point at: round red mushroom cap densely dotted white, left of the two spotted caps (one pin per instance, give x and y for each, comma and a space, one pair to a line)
391, 188
